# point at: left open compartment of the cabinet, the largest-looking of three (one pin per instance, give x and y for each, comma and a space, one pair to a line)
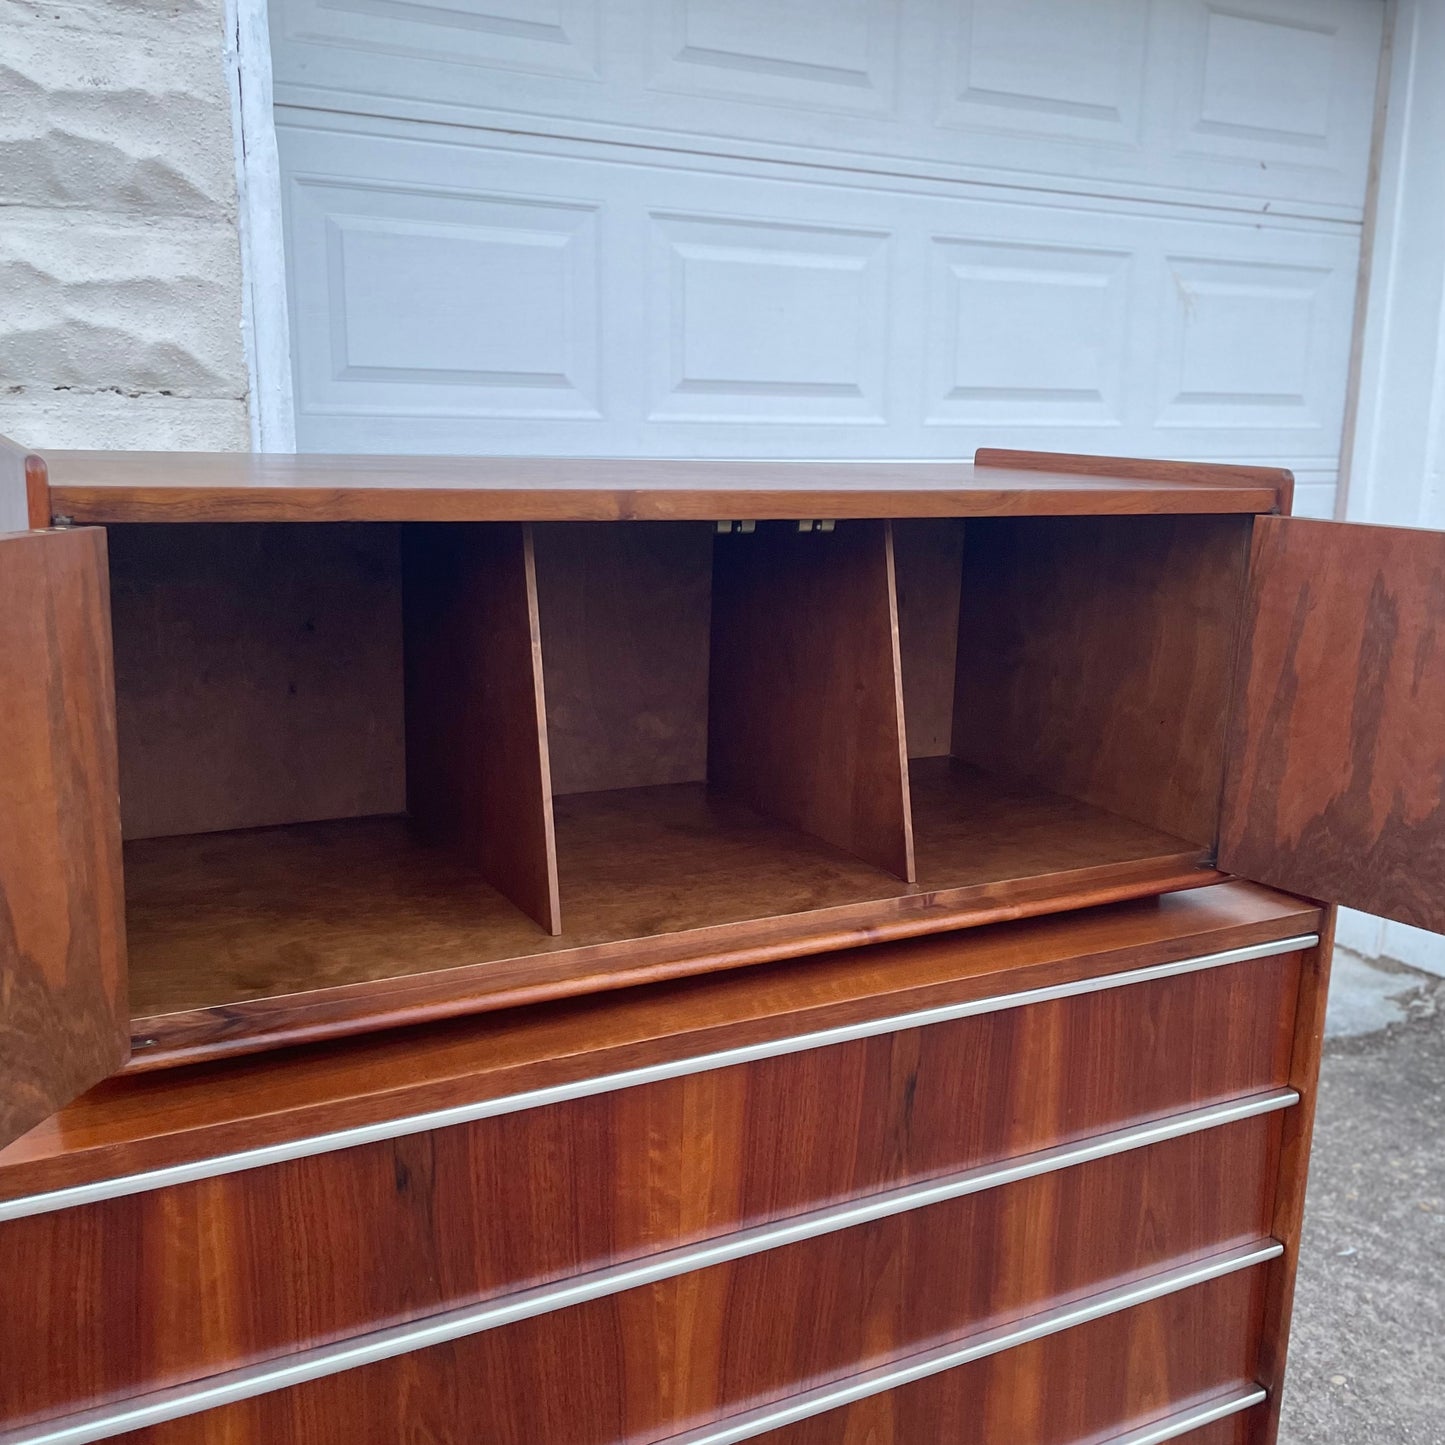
329, 748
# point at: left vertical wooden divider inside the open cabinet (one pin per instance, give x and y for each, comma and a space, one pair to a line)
478, 769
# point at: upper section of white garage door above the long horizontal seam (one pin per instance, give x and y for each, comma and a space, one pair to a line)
1242, 102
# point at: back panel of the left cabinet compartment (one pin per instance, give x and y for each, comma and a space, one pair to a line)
258, 674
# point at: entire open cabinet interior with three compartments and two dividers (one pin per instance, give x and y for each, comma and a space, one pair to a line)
382, 772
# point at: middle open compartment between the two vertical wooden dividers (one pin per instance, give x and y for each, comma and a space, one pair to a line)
723, 722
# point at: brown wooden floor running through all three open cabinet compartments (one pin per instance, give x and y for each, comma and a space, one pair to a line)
225, 920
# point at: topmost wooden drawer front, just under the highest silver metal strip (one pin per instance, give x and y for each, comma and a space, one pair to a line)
158, 1288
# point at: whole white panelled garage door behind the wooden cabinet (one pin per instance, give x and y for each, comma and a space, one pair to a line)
826, 228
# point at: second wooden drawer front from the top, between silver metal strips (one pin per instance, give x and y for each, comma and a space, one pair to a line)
703, 1347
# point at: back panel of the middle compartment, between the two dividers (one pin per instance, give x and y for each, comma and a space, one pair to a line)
625, 613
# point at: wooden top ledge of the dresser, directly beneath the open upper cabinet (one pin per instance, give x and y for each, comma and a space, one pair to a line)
150, 1121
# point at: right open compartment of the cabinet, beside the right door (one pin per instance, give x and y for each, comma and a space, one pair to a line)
1066, 683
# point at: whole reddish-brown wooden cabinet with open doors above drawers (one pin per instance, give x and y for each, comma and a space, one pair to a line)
694, 952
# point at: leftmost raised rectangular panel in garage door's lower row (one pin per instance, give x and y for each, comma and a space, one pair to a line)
434, 298
